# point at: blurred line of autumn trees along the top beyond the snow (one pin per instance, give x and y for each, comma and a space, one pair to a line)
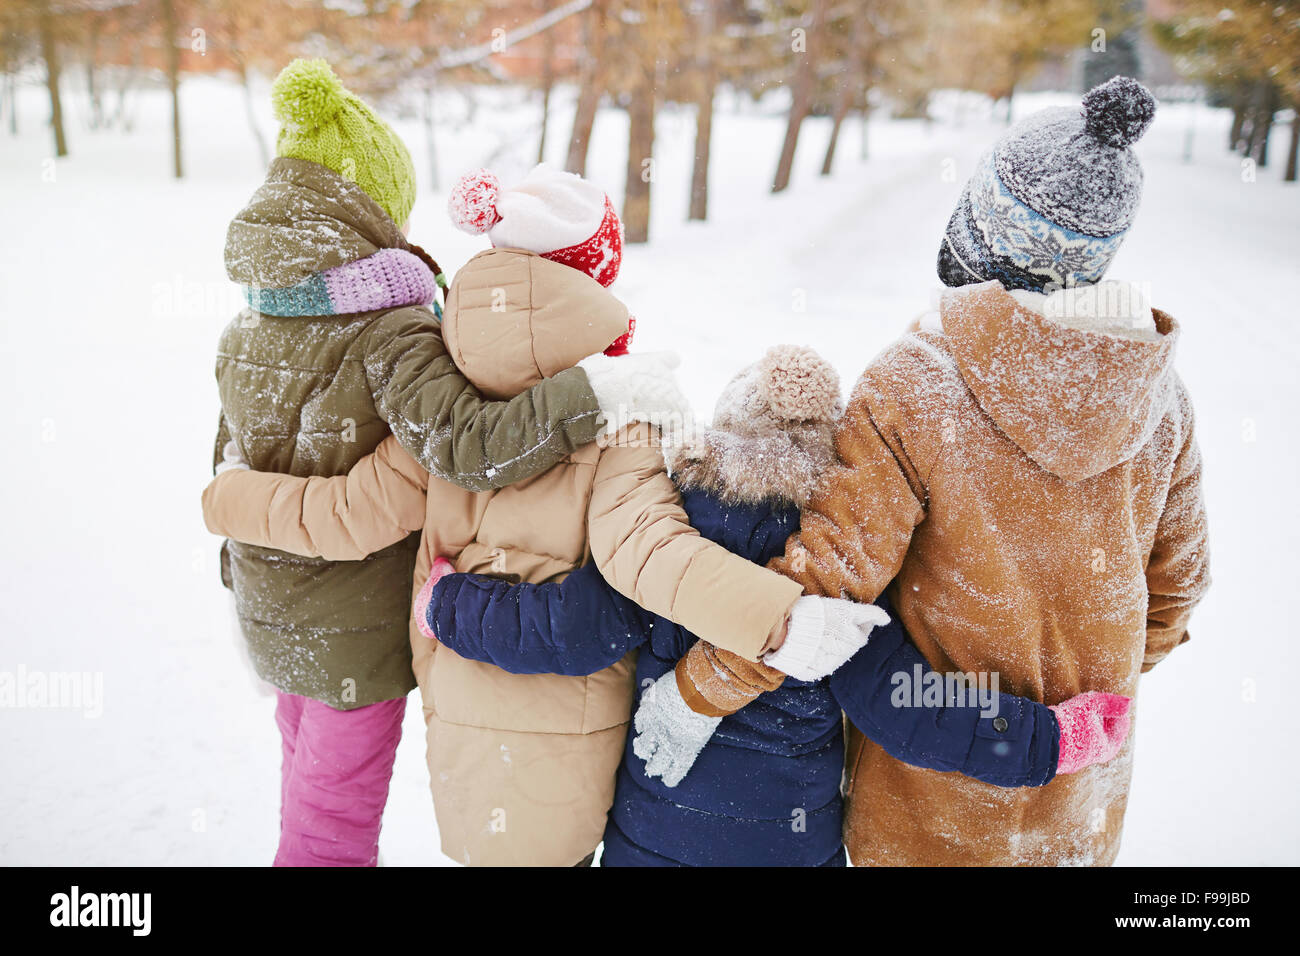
835, 59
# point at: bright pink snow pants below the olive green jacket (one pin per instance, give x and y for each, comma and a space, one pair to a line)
335, 780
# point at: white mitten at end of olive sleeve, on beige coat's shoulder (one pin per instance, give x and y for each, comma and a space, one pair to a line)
639, 388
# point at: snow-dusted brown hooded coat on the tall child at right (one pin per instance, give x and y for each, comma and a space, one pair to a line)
1032, 496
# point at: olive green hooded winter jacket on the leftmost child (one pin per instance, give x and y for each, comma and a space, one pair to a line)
313, 395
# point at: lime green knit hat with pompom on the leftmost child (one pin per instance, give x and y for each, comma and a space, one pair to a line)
324, 123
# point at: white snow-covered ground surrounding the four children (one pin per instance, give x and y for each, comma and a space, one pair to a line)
114, 295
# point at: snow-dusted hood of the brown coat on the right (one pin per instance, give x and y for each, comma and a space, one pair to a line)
1076, 401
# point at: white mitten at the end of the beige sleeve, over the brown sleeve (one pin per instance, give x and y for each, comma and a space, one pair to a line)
825, 634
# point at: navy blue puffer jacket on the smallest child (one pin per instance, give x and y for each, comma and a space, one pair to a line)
766, 790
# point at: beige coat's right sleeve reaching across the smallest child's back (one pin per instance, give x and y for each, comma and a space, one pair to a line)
643, 542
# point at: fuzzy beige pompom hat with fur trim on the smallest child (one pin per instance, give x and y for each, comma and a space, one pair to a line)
773, 434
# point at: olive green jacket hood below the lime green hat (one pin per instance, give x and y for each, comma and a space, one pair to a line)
302, 220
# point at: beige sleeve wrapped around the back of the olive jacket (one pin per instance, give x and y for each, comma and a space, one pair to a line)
344, 518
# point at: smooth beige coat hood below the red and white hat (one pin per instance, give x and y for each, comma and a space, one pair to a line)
514, 319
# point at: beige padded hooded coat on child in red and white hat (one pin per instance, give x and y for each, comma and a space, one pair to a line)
523, 767
